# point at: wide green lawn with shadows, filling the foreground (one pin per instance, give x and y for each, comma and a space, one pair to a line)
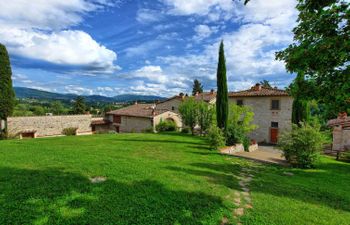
158, 179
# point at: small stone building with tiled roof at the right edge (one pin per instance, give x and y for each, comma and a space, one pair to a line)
341, 132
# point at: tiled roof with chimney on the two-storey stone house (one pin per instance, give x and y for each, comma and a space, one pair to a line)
259, 90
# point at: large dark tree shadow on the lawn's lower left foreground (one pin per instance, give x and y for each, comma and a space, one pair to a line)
53, 196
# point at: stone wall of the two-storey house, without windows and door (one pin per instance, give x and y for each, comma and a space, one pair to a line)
263, 115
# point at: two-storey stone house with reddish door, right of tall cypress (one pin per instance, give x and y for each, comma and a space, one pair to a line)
272, 111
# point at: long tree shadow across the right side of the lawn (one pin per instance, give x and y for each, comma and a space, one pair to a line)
328, 186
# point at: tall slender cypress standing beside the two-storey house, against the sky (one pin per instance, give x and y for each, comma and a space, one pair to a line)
222, 92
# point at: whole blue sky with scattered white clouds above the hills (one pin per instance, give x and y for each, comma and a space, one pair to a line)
151, 47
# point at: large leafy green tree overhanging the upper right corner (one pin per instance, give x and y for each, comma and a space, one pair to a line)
321, 51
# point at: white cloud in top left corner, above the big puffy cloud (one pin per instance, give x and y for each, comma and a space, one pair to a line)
52, 14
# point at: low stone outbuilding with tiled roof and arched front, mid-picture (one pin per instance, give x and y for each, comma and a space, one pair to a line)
135, 118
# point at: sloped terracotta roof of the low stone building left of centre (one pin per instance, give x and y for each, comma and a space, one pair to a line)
139, 110
